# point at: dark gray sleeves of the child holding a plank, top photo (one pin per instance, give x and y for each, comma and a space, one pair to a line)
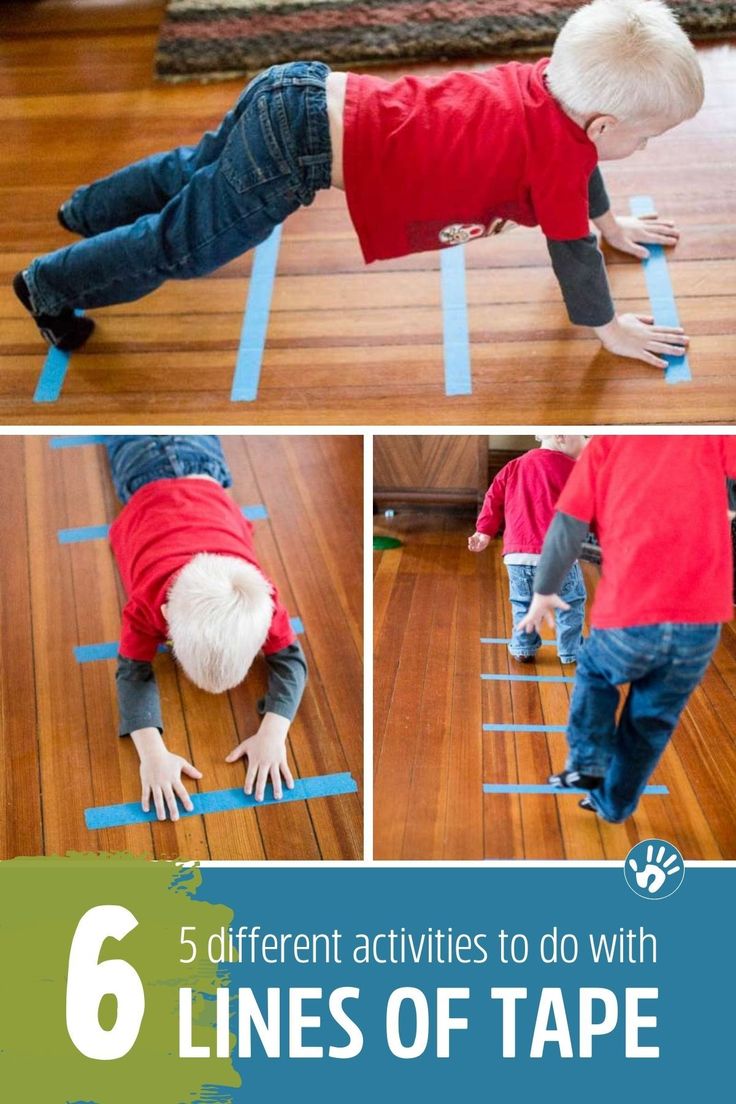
581, 269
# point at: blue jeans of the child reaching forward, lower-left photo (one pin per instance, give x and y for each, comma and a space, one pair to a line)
140, 460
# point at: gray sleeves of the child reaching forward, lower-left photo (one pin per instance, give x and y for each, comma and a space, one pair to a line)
140, 703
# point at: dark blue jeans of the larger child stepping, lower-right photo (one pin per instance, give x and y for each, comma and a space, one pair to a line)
663, 665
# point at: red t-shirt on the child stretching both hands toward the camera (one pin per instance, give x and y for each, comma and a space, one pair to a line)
164, 526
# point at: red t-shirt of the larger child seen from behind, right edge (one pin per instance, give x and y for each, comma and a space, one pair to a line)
658, 505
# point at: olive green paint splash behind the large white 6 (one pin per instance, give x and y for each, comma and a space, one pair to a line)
41, 905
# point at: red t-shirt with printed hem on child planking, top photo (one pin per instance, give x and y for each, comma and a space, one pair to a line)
433, 162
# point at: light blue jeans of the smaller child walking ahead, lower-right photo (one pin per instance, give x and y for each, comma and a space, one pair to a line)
569, 622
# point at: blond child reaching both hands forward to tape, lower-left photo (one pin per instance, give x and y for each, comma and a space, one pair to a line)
186, 557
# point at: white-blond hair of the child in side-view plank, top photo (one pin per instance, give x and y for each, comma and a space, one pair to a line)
628, 59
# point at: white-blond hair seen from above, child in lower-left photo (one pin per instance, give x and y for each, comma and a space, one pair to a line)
219, 612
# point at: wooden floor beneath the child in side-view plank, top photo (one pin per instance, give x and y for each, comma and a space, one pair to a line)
347, 344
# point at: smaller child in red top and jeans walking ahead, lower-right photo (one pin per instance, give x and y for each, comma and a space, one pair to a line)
522, 500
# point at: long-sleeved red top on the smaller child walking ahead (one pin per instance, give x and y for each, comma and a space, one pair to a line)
524, 497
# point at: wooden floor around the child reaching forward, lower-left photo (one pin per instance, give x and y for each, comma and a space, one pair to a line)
59, 749
